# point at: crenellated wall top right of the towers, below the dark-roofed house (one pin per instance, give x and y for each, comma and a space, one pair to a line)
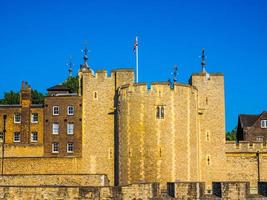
245, 147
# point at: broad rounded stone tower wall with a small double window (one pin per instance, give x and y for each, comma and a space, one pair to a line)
158, 150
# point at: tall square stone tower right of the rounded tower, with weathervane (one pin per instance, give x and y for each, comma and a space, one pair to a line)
211, 123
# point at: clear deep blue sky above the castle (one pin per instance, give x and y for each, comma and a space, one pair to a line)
37, 37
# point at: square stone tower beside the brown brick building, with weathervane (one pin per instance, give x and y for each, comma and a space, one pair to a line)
98, 91
